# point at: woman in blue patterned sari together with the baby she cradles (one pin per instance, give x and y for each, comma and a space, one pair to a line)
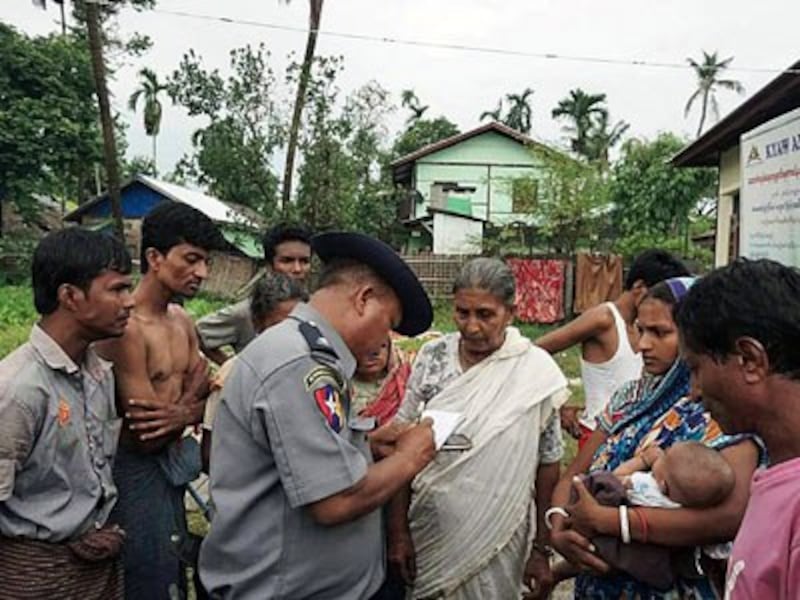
644, 419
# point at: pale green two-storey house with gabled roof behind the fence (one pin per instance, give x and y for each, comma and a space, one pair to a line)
472, 174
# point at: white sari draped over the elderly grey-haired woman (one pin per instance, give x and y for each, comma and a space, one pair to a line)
469, 511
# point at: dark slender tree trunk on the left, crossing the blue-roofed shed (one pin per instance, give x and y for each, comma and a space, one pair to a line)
109, 144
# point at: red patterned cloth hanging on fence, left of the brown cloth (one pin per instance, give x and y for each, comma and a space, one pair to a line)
540, 289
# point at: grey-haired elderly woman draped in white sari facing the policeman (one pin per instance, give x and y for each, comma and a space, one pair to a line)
466, 530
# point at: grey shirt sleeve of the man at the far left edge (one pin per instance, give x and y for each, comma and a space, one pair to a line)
17, 435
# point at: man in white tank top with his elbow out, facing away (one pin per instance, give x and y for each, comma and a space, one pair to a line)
607, 337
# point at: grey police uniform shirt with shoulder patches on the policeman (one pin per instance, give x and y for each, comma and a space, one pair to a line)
282, 441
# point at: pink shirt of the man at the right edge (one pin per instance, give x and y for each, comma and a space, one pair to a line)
765, 562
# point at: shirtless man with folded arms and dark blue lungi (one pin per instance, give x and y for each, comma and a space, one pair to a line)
161, 388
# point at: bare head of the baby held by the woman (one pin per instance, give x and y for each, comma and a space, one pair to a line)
694, 475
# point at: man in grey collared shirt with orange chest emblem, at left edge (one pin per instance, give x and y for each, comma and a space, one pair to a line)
59, 426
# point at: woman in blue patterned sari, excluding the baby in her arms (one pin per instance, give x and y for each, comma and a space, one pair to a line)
656, 410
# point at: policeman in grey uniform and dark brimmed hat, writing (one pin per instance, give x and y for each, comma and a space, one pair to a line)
296, 491
